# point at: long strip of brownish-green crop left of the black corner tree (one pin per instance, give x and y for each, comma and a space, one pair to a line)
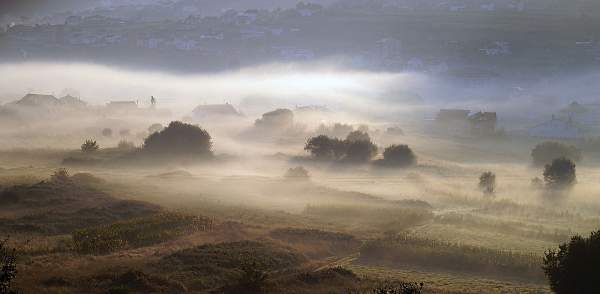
411, 250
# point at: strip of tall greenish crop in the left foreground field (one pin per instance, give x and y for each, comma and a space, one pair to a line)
137, 232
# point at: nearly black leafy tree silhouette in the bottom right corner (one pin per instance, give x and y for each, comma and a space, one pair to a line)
575, 266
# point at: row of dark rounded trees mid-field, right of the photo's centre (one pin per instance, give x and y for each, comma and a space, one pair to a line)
357, 148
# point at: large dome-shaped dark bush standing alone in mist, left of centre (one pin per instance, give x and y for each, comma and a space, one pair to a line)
179, 139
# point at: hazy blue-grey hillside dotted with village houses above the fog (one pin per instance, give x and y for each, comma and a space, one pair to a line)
308, 32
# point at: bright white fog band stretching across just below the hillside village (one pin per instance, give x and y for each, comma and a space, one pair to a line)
262, 88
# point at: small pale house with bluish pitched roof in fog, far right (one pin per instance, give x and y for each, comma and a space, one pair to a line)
557, 129
